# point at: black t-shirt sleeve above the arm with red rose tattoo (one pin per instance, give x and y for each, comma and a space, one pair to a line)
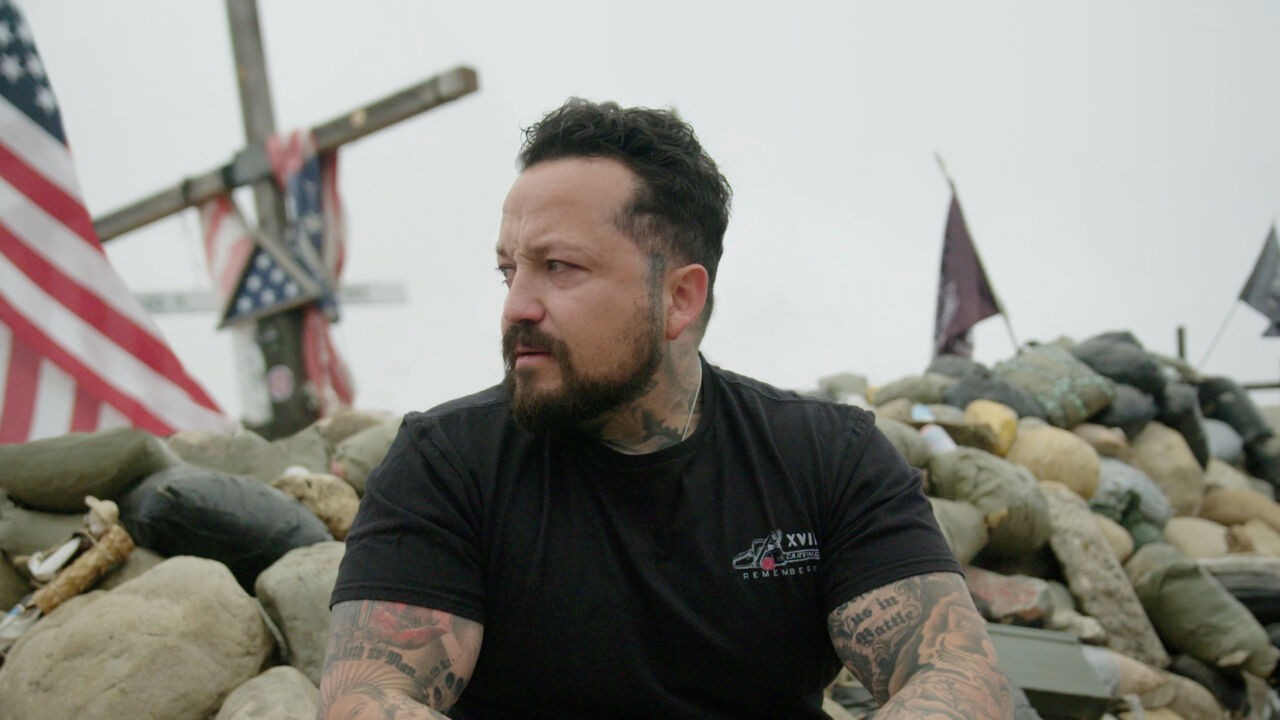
415, 539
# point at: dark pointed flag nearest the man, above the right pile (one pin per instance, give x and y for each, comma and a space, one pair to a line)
964, 293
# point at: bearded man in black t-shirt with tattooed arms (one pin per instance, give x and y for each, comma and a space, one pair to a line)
623, 530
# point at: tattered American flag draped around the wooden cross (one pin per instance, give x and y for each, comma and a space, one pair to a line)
255, 281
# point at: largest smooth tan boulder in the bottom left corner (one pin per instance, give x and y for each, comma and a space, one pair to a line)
171, 644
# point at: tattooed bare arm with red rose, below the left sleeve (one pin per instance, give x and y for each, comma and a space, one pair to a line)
395, 660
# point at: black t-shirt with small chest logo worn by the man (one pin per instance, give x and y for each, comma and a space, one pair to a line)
692, 582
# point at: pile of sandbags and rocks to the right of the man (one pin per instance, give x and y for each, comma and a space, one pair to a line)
1105, 491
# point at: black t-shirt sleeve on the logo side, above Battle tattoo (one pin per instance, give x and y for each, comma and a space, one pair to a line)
883, 527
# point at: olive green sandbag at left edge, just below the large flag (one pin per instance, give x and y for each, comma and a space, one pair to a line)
54, 475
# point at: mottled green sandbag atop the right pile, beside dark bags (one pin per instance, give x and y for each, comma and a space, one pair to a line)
1067, 389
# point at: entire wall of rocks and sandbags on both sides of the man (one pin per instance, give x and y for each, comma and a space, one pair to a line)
1094, 489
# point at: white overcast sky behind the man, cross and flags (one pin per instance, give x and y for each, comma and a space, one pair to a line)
1119, 163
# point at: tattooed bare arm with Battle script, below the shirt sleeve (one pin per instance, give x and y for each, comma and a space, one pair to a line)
922, 649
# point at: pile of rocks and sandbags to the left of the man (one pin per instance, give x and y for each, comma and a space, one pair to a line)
230, 553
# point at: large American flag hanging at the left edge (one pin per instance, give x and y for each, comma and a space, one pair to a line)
77, 350
